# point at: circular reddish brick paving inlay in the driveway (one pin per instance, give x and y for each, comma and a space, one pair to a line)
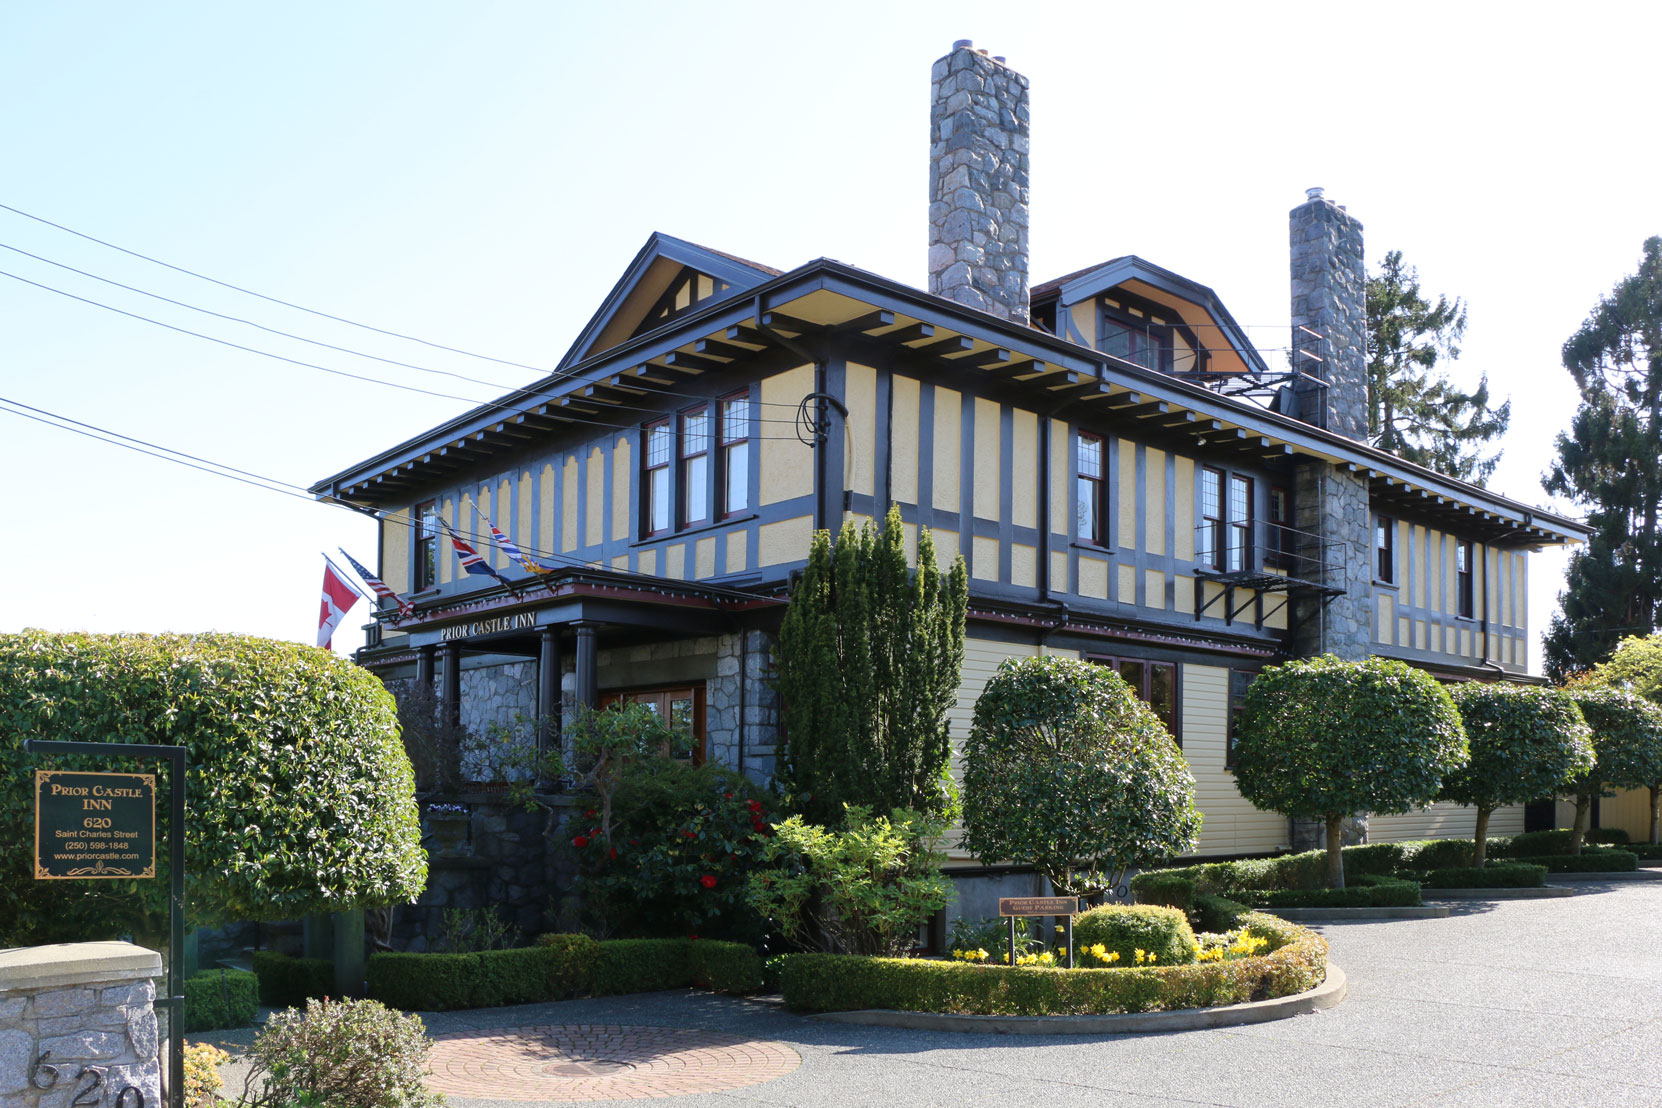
599, 1062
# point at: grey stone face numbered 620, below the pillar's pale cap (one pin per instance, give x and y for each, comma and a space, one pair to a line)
109, 1024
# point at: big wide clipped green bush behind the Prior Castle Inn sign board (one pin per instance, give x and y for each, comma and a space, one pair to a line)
300, 797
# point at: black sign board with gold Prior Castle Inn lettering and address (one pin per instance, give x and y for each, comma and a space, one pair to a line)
94, 826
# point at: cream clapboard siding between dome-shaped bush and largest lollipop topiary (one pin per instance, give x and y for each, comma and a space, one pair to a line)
1232, 825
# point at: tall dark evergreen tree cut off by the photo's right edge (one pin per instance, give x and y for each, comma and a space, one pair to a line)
1611, 461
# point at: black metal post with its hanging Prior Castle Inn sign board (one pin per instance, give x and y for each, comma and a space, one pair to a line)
96, 826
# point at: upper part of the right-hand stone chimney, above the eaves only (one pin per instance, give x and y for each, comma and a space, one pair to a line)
1330, 315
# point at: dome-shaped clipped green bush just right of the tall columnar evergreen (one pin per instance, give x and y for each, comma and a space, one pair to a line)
1068, 772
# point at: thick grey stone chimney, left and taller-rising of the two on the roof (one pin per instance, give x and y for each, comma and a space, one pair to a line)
978, 184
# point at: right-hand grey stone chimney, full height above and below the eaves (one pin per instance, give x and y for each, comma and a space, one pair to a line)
1330, 321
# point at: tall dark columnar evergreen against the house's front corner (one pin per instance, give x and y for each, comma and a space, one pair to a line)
868, 667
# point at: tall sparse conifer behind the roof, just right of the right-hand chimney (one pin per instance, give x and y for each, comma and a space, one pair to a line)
1414, 409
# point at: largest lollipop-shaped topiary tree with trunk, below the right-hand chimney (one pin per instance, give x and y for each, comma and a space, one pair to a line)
1325, 738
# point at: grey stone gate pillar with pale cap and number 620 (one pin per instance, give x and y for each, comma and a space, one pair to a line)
72, 1007
